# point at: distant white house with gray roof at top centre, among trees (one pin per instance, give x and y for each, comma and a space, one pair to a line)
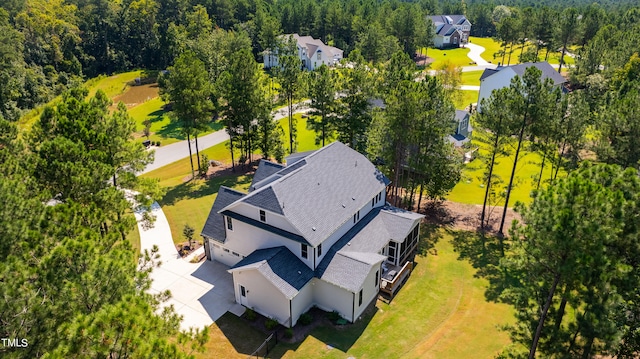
312, 53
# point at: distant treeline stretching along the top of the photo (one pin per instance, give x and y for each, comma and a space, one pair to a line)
49, 46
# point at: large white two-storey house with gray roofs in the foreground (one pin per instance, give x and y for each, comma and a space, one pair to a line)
317, 232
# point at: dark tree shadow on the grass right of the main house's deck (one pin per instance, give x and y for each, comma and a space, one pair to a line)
484, 254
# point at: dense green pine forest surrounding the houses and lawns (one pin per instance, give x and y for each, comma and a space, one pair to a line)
72, 284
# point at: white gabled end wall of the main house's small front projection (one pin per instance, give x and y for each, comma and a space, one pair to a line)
262, 296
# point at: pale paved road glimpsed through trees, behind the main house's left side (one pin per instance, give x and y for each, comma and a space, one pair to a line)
178, 150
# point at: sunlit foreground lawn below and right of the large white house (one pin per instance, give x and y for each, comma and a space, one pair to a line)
441, 312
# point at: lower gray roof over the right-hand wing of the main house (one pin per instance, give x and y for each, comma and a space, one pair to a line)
348, 262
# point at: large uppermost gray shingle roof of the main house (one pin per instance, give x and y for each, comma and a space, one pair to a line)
320, 192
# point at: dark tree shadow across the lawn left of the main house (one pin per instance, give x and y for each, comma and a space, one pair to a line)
200, 188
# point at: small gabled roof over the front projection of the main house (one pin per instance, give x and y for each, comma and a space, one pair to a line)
283, 269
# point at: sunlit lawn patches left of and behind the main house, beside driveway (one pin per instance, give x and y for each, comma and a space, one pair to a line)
189, 202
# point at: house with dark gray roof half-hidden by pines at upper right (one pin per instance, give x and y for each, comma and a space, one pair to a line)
493, 79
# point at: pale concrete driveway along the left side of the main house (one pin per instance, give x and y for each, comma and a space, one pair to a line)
200, 292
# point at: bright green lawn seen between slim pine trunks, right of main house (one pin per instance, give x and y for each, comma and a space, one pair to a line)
471, 190
